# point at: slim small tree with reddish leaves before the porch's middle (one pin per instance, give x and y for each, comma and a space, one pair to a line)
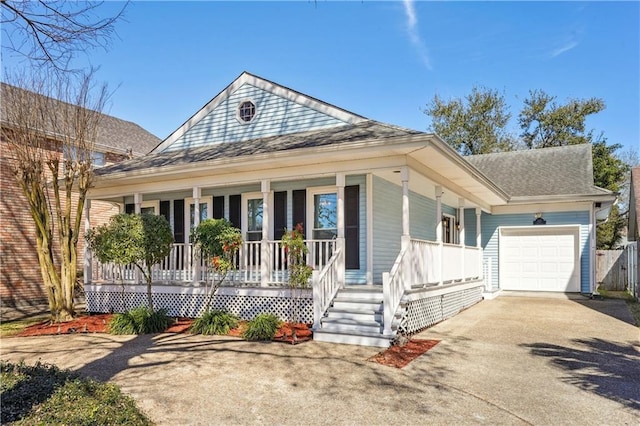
218, 242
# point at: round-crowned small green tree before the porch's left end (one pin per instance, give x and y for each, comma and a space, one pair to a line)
140, 239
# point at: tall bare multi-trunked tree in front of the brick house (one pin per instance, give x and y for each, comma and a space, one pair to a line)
49, 137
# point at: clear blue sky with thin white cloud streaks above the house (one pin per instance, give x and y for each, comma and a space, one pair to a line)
383, 60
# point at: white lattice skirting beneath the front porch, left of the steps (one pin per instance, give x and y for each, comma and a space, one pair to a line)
190, 302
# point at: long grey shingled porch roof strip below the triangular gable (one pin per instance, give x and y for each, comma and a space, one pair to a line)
348, 133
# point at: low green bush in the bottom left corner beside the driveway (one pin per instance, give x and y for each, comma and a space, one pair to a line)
44, 394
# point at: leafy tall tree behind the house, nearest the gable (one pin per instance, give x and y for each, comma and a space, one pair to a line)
474, 125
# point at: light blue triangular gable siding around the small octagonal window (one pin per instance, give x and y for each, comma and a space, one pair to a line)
275, 115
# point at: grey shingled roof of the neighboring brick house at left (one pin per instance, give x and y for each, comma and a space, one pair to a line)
114, 134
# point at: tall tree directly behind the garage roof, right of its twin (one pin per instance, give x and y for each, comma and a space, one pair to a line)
545, 123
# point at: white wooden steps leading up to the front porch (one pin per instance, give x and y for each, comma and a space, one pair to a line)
356, 318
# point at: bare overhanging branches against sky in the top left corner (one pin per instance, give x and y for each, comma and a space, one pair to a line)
50, 32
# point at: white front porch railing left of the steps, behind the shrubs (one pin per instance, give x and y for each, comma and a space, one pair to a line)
182, 265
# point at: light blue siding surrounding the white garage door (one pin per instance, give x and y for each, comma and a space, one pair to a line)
491, 223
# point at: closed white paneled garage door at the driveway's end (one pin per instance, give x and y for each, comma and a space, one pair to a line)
540, 258
